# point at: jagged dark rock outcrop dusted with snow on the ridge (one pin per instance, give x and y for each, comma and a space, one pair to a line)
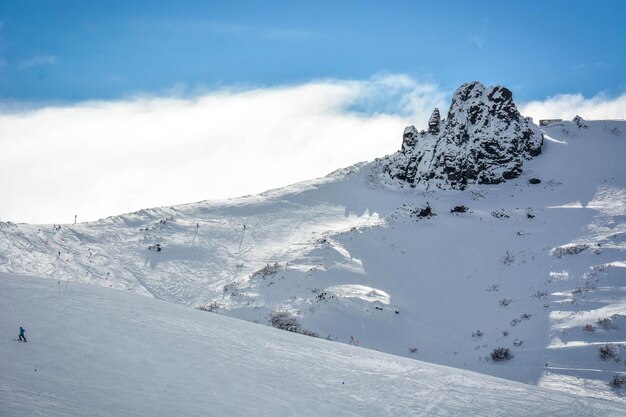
483, 140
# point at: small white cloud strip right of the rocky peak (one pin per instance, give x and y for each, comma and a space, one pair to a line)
566, 106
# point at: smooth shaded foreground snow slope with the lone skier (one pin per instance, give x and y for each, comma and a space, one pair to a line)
98, 352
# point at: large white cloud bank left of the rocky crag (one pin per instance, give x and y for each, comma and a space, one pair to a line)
103, 158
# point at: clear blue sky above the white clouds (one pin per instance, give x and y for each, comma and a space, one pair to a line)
80, 50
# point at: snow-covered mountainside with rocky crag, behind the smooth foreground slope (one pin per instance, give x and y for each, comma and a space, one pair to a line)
515, 250
